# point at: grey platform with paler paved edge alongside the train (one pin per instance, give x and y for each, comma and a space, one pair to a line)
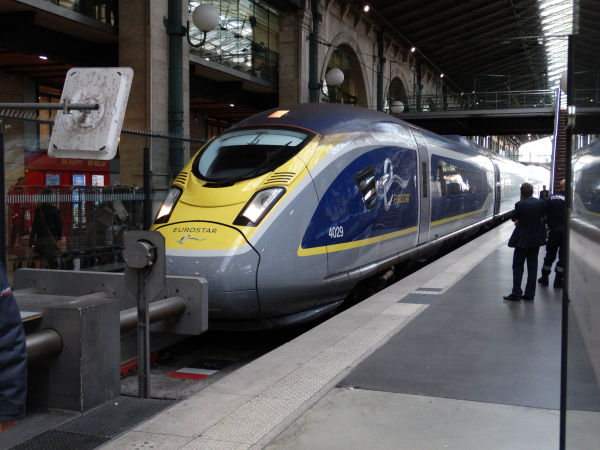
437, 360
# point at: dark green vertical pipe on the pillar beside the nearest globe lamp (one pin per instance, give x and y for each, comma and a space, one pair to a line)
176, 31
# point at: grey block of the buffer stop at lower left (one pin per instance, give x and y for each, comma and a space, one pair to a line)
86, 373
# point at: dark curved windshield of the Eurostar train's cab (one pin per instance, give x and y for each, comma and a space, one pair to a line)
245, 154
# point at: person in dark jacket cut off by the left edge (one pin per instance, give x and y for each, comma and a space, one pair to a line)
13, 359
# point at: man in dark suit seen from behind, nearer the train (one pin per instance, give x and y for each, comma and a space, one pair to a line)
529, 234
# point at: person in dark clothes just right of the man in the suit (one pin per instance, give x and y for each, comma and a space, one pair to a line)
555, 213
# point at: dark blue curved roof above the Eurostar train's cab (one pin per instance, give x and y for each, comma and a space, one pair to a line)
322, 118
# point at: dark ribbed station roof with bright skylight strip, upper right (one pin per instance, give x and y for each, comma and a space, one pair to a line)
485, 45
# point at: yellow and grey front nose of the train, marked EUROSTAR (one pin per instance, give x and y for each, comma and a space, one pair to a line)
220, 254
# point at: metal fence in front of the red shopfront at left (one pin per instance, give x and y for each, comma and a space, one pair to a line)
93, 221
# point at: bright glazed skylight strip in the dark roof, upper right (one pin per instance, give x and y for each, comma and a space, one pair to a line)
557, 24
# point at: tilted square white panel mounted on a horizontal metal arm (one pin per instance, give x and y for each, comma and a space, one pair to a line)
91, 134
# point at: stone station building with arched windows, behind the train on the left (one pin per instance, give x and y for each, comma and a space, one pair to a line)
262, 54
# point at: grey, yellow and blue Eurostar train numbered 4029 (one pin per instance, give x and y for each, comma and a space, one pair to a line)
288, 210
